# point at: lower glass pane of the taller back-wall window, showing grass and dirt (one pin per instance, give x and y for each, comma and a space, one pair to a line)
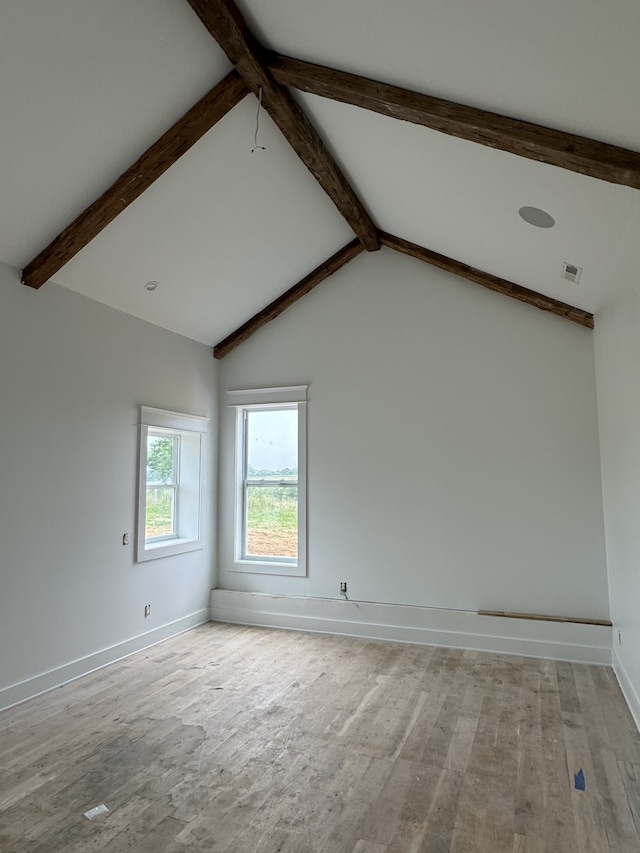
272, 521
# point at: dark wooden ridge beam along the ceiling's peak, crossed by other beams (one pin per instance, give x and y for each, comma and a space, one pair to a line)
227, 26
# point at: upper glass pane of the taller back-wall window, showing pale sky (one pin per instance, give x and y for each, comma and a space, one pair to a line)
272, 444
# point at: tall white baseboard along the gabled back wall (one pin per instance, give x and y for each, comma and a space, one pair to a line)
412, 624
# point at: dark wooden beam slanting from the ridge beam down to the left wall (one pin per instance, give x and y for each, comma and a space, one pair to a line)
130, 185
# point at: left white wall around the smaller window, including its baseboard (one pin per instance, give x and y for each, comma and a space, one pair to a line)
72, 376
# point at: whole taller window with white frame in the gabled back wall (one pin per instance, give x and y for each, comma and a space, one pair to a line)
270, 526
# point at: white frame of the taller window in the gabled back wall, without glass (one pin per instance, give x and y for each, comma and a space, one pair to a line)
269, 398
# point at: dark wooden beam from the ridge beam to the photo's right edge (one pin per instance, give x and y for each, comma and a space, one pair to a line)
554, 147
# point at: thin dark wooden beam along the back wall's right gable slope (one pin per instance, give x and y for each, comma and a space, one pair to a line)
492, 282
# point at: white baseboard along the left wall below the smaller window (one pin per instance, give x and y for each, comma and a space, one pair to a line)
32, 687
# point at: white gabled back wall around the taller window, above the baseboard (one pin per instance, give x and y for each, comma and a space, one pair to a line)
453, 444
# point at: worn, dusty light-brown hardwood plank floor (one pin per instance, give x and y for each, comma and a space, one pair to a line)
243, 739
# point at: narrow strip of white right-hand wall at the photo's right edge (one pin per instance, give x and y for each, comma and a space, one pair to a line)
617, 343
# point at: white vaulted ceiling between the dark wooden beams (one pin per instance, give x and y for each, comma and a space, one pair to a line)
87, 85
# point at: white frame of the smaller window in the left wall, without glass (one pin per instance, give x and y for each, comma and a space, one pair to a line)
191, 431
